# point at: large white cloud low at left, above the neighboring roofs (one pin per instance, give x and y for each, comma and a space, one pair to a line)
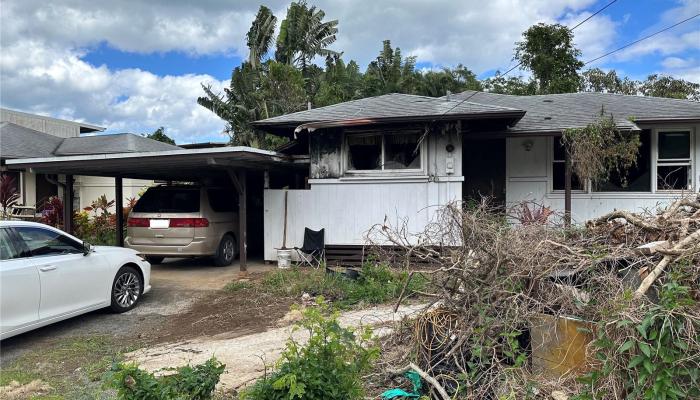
40, 79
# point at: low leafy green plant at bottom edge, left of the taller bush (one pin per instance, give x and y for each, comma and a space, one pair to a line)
186, 383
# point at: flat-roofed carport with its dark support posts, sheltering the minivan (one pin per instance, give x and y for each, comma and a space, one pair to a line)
197, 165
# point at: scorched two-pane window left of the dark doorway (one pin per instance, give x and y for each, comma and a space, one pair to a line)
378, 152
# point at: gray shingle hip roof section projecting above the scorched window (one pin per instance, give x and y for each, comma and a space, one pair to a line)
386, 107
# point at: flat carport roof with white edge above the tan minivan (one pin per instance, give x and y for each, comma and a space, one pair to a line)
163, 165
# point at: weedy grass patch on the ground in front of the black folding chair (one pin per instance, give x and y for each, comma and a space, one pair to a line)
376, 284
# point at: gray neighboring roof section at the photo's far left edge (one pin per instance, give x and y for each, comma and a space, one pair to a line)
20, 142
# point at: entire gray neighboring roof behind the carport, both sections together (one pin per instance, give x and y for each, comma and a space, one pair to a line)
20, 142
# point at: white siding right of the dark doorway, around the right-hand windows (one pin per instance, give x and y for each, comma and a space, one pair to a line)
528, 177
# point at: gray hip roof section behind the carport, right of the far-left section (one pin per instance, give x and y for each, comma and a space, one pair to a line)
107, 144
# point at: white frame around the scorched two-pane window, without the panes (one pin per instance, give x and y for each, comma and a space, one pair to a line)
350, 170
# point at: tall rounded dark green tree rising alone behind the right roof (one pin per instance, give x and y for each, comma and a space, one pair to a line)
549, 52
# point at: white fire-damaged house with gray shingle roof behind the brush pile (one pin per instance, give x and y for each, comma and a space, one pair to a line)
398, 158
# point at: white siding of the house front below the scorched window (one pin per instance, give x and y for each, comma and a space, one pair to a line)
347, 207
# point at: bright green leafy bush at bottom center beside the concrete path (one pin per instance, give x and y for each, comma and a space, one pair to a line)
329, 366
